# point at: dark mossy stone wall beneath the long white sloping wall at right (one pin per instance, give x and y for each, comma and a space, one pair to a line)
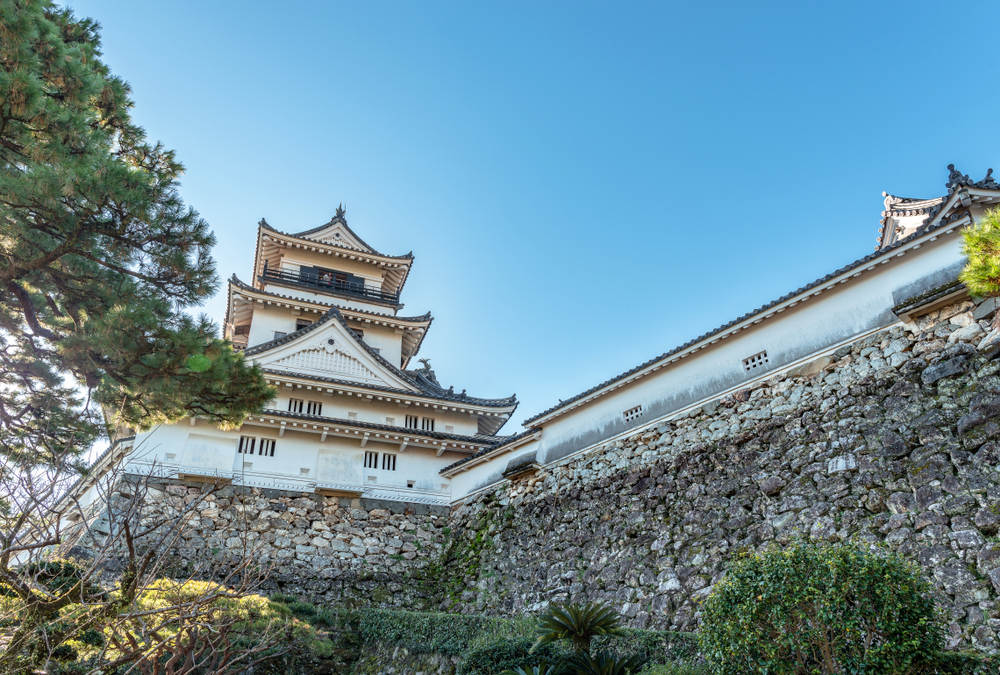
894, 440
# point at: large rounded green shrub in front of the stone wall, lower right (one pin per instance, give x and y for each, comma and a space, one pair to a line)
821, 609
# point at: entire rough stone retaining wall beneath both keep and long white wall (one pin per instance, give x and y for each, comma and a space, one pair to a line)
893, 440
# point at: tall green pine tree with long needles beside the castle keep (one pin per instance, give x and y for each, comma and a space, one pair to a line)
99, 256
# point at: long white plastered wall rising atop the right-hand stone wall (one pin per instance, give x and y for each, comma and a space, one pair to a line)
839, 315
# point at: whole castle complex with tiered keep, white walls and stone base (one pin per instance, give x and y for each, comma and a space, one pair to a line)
861, 405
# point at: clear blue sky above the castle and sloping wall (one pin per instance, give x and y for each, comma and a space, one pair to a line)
584, 185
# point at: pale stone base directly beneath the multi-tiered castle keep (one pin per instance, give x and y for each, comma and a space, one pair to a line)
335, 550
